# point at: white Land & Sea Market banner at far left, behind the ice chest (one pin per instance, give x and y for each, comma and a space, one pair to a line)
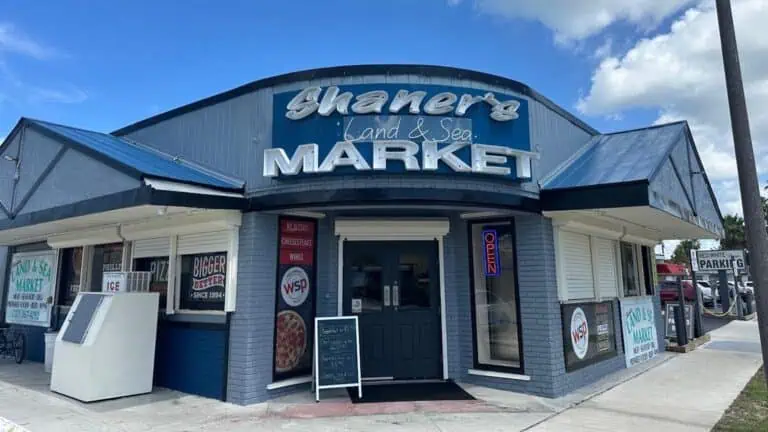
31, 288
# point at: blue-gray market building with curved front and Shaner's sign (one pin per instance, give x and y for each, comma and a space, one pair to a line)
481, 233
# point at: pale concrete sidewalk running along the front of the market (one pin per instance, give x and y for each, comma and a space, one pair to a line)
673, 392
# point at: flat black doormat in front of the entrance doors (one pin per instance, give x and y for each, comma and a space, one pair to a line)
447, 390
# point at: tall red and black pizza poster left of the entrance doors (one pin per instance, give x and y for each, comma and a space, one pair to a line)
295, 300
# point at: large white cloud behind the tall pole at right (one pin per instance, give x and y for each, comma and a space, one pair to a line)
680, 73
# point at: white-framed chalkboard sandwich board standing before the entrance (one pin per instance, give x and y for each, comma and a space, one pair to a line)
337, 354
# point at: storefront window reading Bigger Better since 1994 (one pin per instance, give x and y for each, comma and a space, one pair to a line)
203, 281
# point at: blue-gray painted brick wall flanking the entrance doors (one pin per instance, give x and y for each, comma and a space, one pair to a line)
252, 331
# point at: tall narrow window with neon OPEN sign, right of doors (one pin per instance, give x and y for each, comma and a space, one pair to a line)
496, 319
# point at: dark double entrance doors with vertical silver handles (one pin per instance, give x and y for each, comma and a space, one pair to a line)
393, 287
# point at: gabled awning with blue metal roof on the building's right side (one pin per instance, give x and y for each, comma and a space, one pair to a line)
650, 179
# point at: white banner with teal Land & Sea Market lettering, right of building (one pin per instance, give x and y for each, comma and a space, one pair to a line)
638, 322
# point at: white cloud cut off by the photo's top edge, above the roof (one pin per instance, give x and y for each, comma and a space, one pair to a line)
579, 19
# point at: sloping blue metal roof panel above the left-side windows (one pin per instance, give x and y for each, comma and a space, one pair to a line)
146, 160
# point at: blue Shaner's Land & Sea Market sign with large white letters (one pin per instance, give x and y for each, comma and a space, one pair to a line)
425, 128
